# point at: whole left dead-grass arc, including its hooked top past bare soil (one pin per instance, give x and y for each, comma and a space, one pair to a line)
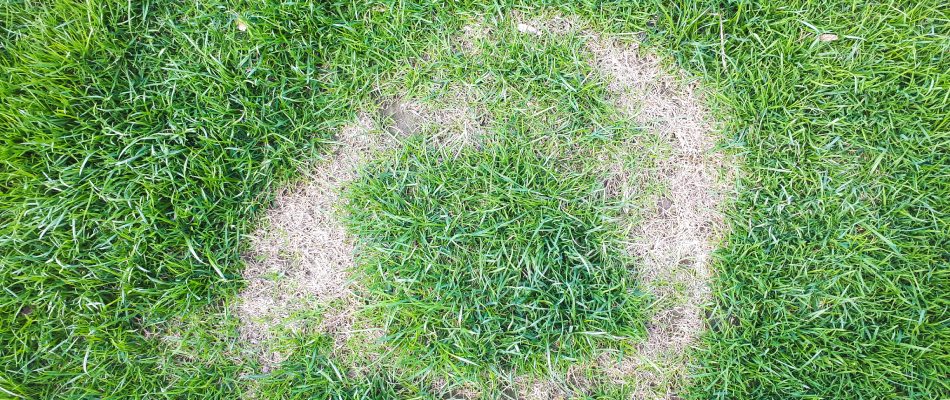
301, 259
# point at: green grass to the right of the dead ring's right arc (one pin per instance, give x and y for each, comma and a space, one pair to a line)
833, 283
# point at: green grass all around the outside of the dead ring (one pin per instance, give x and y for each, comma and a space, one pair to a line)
139, 141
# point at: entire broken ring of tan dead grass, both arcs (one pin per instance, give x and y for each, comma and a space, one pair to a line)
673, 237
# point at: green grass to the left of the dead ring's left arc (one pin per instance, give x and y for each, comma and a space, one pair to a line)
138, 143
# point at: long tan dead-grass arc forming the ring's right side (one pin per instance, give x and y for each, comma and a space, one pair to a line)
675, 237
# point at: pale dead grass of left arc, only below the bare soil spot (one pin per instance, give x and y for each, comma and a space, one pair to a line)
300, 260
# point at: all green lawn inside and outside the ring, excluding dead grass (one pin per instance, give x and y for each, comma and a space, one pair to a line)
141, 144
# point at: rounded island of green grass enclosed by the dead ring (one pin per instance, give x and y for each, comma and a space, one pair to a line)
493, 259
